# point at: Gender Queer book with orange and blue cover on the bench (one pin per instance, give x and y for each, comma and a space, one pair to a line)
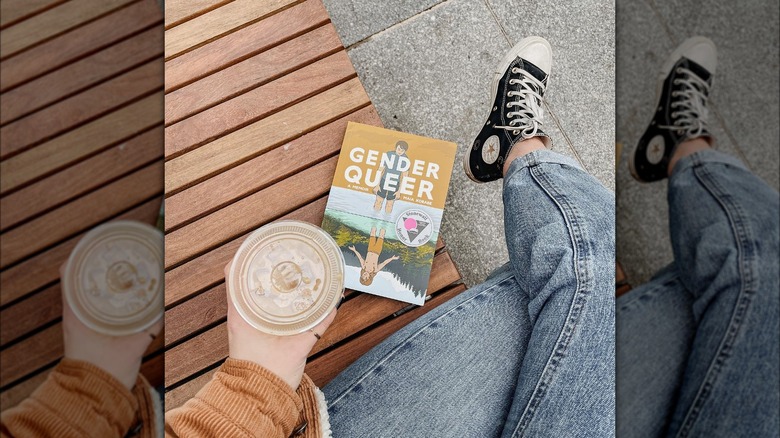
385, 209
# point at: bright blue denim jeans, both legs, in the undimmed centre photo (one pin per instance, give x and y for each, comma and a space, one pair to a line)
530, 352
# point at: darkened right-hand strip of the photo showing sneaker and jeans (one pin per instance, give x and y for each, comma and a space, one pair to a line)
698, 348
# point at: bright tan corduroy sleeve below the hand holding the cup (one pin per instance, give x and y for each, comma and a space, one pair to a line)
244, 399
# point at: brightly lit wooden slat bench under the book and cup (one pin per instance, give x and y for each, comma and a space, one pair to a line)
258, 95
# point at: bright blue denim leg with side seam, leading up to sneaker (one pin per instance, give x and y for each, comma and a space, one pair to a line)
560, 234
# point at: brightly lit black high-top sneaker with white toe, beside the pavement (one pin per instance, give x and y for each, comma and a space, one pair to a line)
515, 111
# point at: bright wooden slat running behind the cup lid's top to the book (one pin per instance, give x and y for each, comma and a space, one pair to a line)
207, 270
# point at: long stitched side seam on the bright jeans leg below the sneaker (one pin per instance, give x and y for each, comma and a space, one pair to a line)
582, 271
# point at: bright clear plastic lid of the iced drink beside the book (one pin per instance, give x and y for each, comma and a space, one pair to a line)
286, 277
